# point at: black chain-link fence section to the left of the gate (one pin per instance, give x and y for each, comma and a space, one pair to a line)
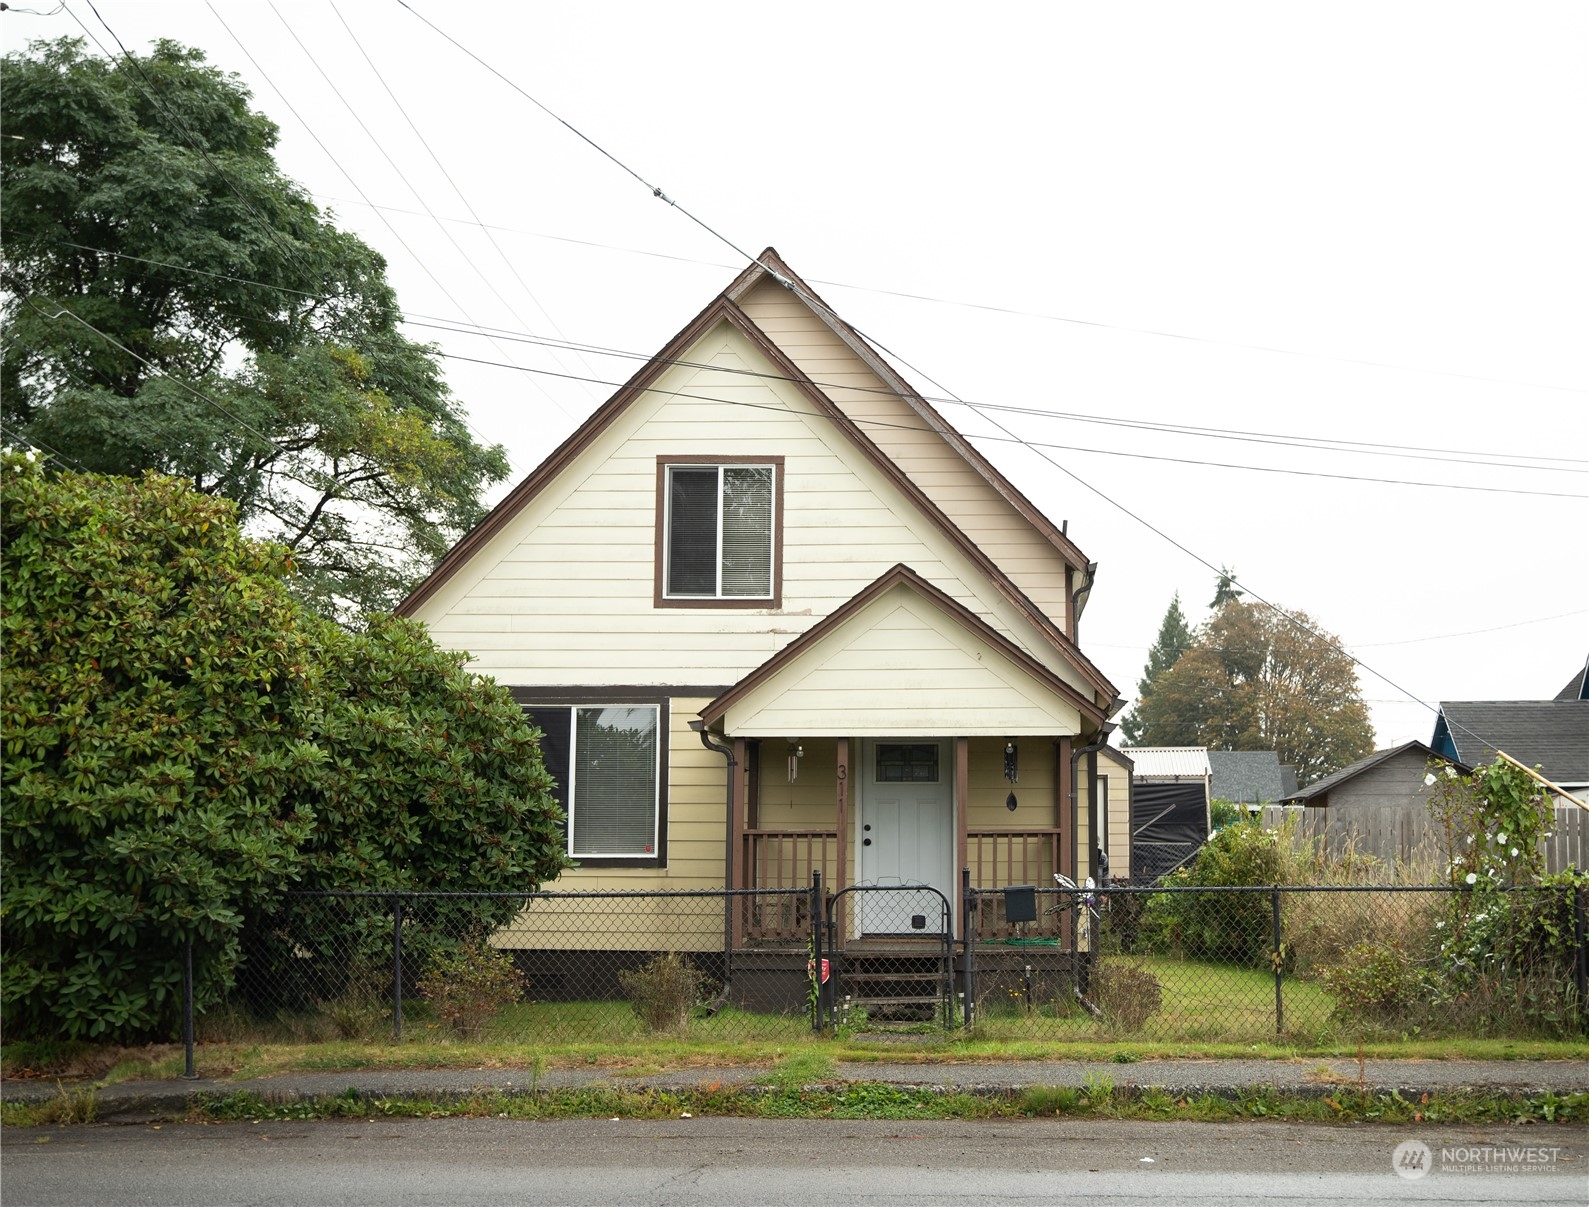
546, 968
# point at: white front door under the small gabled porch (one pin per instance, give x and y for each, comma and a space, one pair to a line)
907, 831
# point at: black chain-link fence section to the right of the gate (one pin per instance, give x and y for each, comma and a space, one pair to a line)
1304, 963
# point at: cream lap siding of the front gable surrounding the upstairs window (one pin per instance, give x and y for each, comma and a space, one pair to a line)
570, 596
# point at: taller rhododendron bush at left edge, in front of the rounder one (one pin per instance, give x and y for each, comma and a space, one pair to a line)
153, 744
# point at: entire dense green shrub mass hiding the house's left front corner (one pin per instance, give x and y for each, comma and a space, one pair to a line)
184, 742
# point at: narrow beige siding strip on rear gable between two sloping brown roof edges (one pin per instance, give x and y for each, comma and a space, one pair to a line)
1024, 553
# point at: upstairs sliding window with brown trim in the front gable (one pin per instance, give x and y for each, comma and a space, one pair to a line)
719, 533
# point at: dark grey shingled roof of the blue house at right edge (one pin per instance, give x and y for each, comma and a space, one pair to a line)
1548, 735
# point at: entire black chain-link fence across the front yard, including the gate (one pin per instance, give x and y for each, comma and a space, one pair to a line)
1196, 965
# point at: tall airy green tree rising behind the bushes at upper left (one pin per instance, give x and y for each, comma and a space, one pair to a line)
174, 303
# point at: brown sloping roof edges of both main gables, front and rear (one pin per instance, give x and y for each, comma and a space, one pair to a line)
725, 309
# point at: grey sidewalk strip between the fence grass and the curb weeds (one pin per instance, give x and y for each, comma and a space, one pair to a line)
131, 1101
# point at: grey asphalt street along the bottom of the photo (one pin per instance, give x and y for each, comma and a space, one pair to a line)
479, 1163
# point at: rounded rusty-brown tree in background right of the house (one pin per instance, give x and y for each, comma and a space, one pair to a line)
1259, 681
